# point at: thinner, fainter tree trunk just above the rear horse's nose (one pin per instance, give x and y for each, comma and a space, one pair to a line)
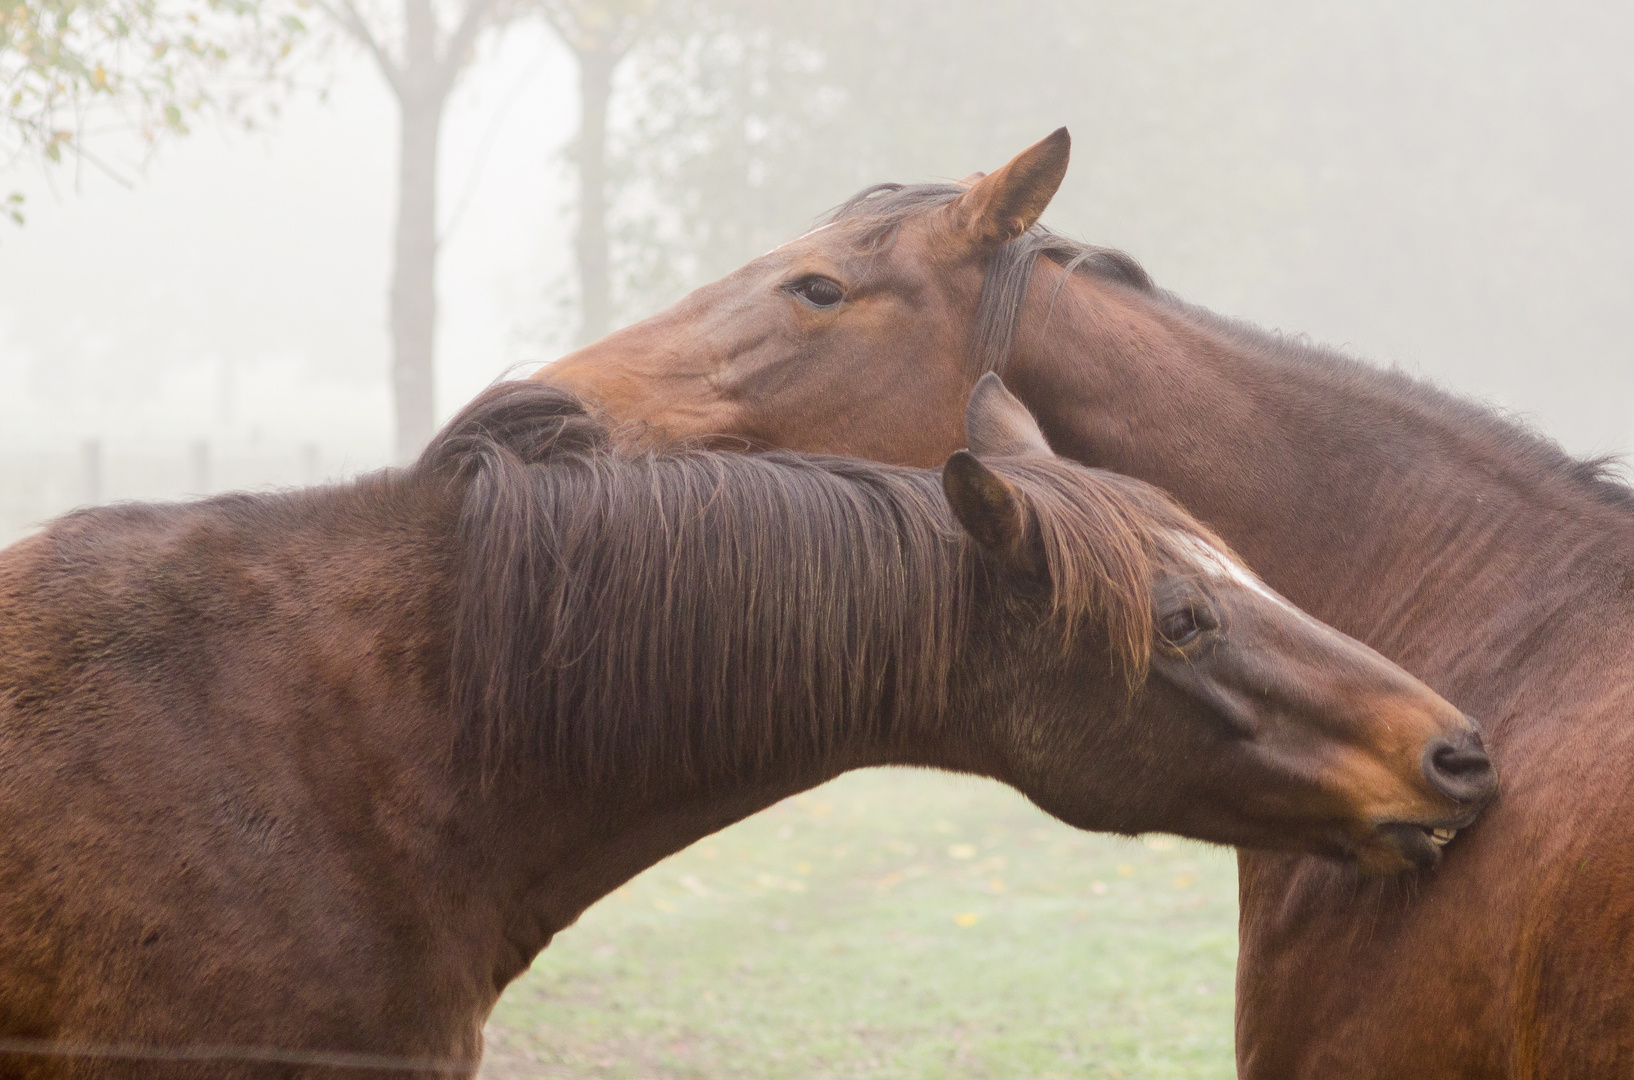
596, 285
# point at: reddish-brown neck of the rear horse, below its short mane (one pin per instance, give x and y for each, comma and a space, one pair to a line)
1380, 506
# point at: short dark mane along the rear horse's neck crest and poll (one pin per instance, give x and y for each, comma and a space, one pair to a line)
878, 212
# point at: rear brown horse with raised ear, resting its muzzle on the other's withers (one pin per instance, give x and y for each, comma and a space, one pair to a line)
1457, 543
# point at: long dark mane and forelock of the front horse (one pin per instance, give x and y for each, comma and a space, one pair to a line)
628, 612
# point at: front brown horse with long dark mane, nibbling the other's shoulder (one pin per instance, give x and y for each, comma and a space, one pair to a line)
305, 780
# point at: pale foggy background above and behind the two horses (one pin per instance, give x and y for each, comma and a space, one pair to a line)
1439, 187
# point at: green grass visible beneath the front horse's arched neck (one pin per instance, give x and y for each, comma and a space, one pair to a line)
891, 924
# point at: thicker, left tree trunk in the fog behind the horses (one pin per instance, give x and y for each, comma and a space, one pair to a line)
414, 274
